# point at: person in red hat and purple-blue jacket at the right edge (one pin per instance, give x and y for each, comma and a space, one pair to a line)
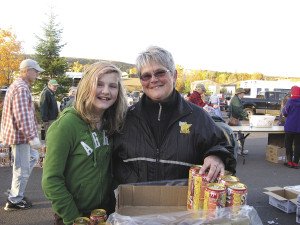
292, 128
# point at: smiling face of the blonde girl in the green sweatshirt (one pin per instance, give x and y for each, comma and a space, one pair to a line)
106, 92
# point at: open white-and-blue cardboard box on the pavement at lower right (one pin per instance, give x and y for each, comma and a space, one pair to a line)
283, 199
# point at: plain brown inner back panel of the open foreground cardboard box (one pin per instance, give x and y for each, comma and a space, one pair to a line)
130, 195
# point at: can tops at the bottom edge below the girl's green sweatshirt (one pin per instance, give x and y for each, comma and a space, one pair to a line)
98, 217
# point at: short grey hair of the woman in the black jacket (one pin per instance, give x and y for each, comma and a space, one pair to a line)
155, 54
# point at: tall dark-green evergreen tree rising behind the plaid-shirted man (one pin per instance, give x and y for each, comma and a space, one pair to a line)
47, 54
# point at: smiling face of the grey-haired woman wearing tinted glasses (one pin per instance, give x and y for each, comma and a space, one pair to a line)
159, 87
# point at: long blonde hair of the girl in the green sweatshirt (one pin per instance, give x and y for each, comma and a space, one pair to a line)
113, 117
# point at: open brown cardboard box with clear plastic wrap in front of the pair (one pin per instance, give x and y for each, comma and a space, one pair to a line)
142, 202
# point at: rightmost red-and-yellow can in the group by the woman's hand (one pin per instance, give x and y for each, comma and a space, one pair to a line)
236, 195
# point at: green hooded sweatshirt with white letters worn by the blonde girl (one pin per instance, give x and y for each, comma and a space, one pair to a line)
77, 175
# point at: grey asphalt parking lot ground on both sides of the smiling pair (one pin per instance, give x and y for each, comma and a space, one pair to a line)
256, 173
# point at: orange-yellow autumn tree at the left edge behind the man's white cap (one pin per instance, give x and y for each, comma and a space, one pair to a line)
10, 56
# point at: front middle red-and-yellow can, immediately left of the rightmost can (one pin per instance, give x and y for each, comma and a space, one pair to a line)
215, 196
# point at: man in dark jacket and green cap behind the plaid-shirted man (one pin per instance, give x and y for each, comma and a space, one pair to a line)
48, 104
